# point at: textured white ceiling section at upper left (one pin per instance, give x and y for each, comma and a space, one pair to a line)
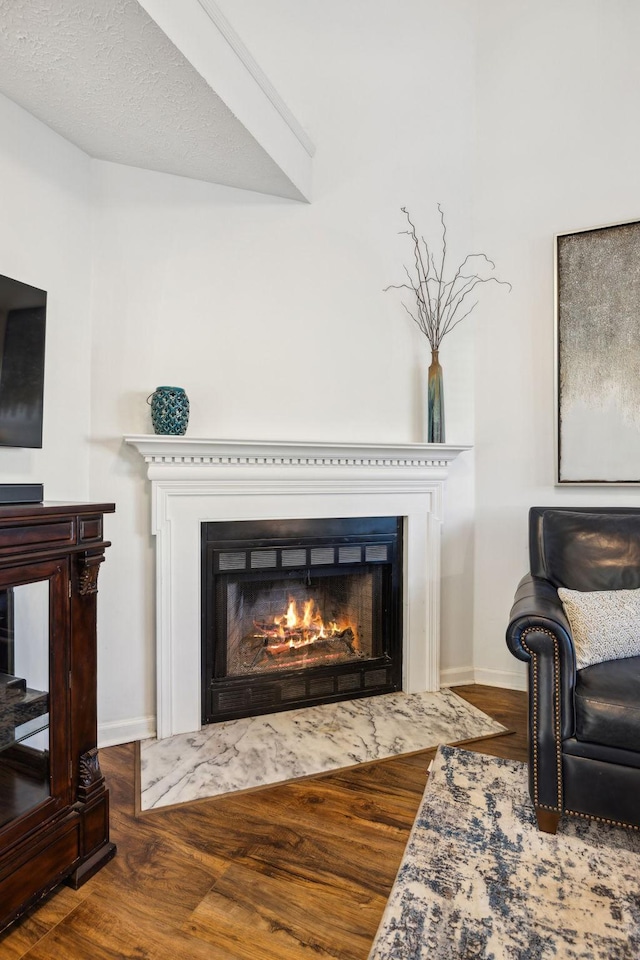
103, 74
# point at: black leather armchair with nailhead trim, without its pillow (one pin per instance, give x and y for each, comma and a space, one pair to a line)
584, 725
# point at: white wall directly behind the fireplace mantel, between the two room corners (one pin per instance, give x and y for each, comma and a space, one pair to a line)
271, 313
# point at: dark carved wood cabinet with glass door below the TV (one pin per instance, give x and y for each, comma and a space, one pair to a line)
54, 805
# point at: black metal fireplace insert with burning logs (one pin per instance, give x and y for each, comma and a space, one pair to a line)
299, 612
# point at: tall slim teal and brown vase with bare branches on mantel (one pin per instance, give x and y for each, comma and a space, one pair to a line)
438, 306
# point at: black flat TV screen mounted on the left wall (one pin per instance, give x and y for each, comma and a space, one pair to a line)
22, 334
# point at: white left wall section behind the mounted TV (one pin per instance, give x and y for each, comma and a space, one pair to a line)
45, 241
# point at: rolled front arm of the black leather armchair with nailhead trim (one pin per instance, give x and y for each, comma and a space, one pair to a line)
539, 633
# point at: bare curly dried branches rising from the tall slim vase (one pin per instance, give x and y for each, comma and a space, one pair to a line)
440, 304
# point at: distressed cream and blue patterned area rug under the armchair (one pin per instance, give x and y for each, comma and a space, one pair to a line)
479, 882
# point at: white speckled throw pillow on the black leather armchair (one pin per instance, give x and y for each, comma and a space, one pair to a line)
605, 624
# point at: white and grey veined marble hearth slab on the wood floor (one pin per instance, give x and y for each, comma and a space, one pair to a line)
255, 752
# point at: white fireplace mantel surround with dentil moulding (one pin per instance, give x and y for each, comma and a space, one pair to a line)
197, 480
